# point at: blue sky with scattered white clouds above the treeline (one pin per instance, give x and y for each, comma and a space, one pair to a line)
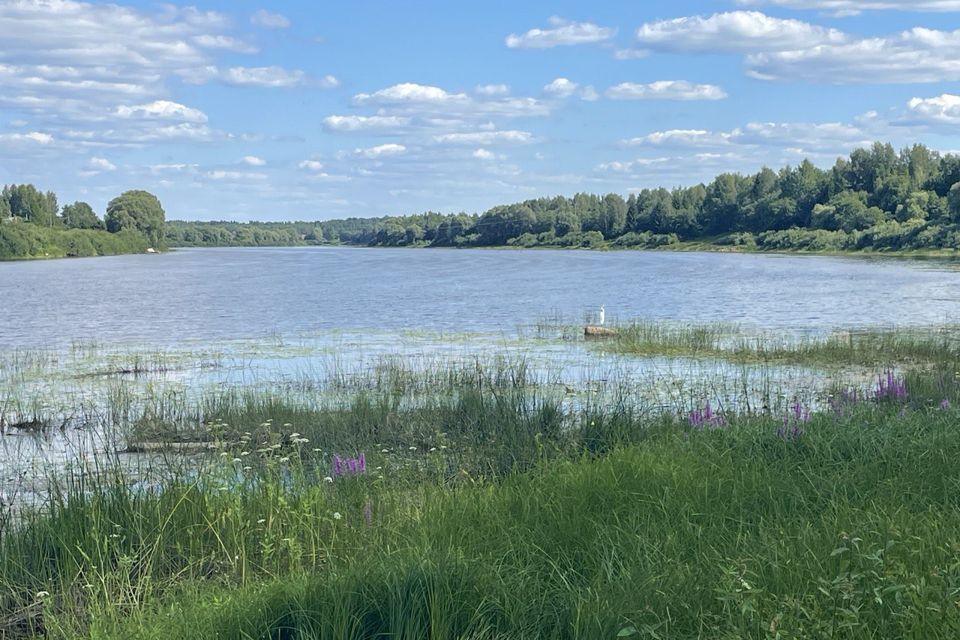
307, 110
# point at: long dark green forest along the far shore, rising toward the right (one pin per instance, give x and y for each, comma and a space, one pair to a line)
876, 198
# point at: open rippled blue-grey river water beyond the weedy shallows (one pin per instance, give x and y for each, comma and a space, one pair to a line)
215, 294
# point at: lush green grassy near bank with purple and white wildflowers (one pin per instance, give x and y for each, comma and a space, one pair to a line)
489, 510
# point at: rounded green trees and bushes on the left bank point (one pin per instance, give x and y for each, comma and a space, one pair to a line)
32, 225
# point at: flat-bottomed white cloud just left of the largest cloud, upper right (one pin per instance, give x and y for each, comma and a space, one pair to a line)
745, 31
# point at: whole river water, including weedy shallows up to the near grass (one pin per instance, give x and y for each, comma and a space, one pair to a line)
313, 323
